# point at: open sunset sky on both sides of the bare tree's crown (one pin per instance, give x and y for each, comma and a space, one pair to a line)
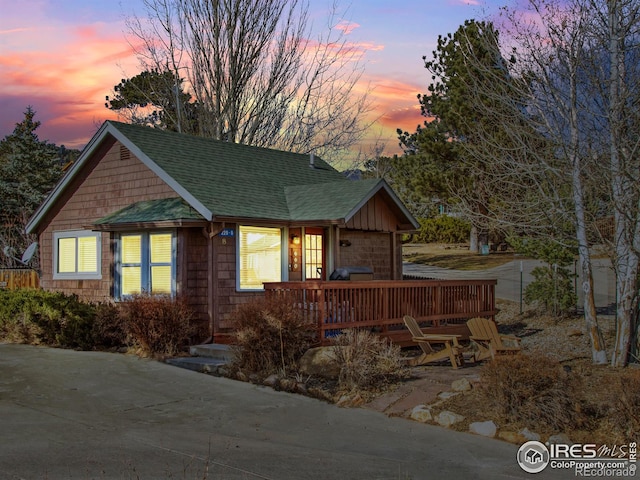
62, 57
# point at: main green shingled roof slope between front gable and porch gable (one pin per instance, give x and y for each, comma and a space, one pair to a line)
231, 180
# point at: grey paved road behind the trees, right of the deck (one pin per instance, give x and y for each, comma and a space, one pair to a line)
511, 281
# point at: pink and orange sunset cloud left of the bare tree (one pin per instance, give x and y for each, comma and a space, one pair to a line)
63, 72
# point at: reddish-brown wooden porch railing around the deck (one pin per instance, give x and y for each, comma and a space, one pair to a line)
443, 305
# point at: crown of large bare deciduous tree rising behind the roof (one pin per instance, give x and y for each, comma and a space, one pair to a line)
257, 73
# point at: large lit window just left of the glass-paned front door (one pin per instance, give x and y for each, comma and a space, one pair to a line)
260, 257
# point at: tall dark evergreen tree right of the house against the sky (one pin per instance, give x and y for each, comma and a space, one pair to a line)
443, 169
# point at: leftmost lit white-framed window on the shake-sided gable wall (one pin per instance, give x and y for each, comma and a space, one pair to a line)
77, 255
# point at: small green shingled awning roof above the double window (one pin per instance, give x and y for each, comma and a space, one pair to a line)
167, 209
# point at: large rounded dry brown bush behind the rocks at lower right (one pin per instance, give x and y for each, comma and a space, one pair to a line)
533, 390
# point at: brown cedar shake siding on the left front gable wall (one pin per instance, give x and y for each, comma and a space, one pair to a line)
114, 180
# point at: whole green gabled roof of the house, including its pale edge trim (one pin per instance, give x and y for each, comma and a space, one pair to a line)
221, 180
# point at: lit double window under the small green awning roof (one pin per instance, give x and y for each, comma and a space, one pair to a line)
146, 262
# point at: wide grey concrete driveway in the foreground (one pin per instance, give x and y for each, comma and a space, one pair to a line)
85, 415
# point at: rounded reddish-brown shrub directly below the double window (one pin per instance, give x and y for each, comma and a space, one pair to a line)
158, 324
